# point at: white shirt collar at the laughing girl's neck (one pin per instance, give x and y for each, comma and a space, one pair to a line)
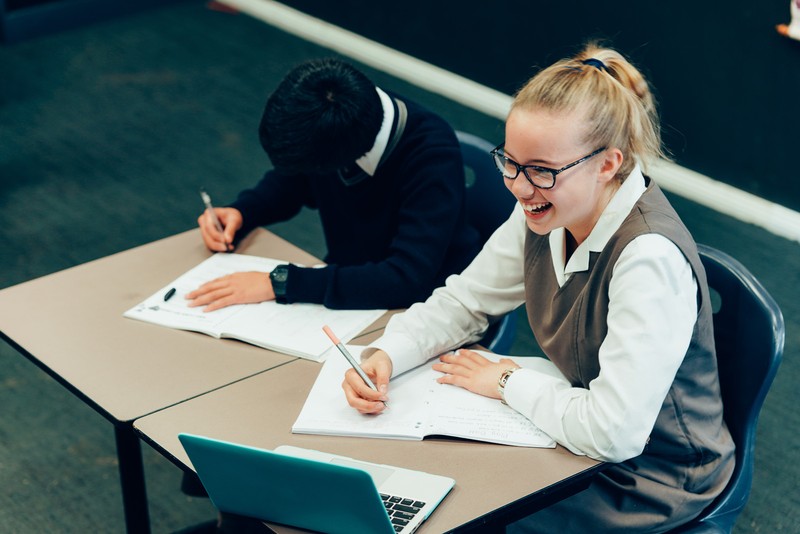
609, 222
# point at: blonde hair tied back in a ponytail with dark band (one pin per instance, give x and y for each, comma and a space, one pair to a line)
619, 108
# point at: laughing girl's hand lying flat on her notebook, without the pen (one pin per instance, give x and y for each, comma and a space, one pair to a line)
471, 371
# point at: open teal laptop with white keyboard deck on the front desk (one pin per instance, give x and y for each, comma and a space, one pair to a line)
312, 489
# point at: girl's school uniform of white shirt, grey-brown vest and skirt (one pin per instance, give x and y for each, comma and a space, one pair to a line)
630, 373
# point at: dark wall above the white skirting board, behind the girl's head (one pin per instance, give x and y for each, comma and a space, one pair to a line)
727, 83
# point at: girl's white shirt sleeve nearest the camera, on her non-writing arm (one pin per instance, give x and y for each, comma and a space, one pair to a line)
651, 316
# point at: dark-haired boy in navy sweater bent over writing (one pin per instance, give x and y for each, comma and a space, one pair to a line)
387, 179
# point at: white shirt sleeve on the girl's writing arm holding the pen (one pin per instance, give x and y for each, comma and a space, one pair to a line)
458, 313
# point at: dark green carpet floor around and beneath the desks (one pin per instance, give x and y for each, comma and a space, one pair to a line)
106, 133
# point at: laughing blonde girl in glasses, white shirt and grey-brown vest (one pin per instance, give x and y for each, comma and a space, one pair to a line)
615, 295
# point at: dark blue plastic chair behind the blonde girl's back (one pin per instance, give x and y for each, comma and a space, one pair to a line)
749, 335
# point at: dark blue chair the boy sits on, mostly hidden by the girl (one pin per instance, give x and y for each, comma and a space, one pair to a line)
489, 204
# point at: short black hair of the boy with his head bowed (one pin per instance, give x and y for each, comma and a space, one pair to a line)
324, 115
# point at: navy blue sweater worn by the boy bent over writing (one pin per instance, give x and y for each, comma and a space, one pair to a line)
392, 238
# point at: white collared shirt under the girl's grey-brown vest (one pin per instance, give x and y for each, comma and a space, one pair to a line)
652, 311
